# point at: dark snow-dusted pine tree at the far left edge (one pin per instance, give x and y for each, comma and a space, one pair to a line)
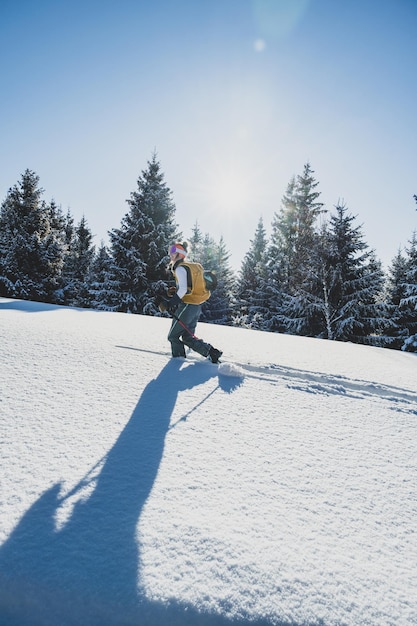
31, 246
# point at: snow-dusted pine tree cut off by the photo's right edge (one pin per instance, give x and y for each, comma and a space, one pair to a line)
408, 303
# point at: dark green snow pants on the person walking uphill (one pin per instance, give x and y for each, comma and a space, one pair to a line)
188, 314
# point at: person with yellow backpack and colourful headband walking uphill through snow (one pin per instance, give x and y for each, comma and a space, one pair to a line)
184, 303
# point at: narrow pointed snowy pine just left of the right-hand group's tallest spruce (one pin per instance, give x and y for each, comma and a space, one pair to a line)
251, 298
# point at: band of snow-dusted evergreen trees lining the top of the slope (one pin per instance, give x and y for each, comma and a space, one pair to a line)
314, 275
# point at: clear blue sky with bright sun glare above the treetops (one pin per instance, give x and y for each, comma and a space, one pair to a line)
235, 96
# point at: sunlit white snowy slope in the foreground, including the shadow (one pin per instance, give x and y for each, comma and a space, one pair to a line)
140, 490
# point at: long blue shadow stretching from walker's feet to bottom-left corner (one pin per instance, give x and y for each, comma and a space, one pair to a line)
86, 573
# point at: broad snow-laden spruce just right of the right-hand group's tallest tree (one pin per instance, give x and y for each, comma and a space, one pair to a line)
341, 295
